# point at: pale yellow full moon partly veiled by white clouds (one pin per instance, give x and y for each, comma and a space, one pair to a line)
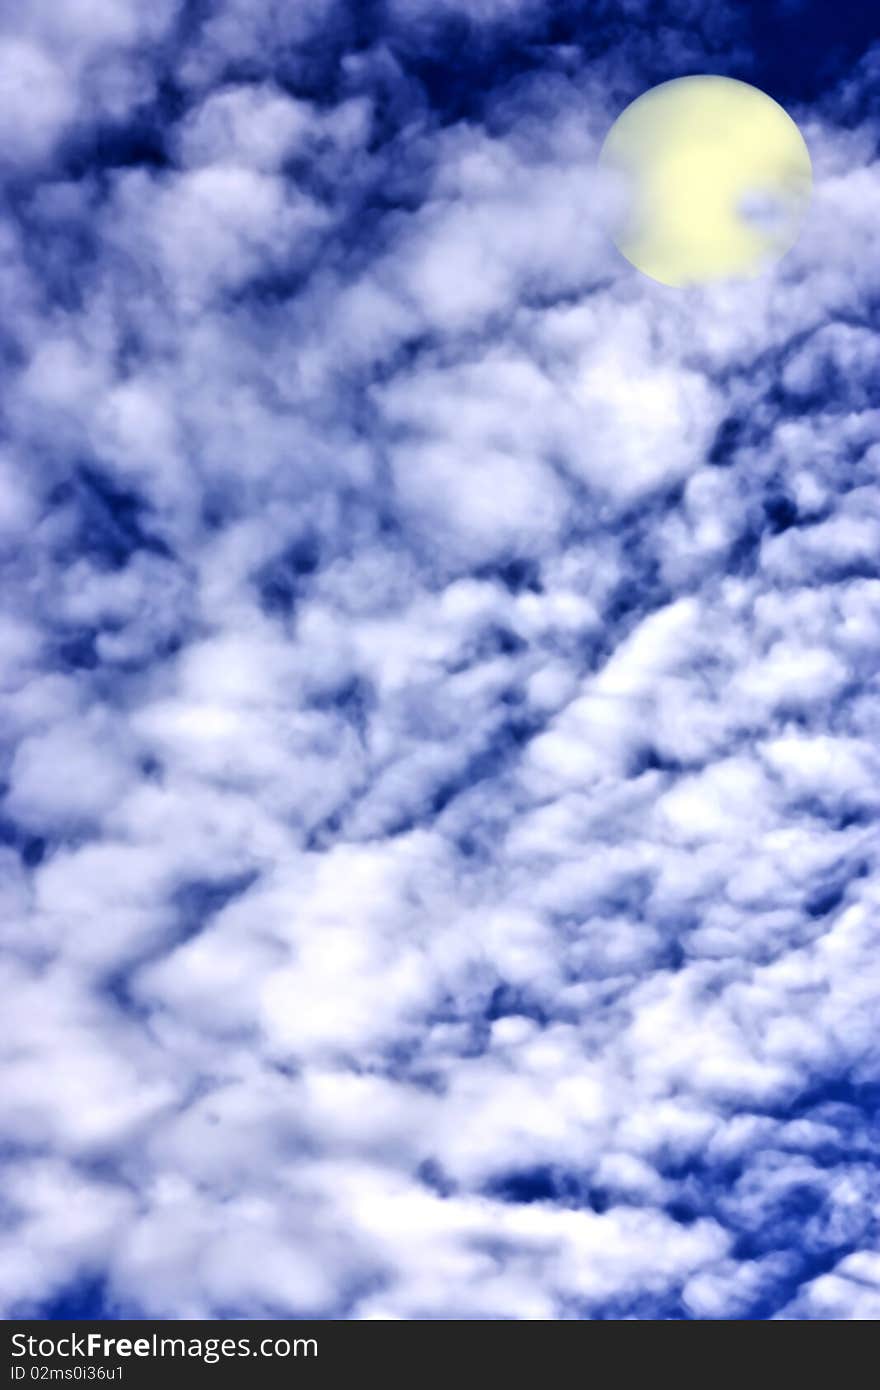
715, 181
